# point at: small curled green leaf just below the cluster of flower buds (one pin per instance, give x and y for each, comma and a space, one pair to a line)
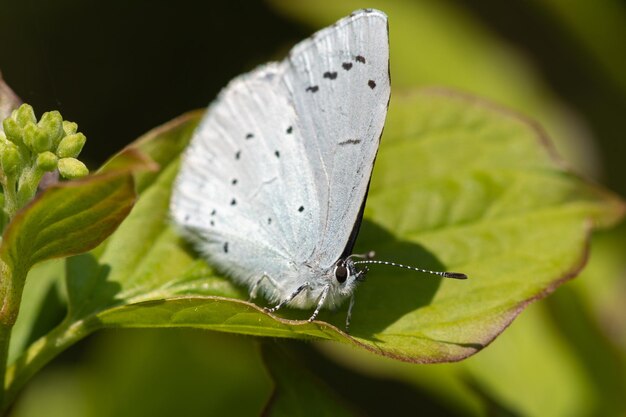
68, 218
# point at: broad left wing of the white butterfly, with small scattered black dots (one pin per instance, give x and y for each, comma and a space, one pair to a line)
242, 181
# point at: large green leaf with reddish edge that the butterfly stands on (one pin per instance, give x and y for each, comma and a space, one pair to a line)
459, 185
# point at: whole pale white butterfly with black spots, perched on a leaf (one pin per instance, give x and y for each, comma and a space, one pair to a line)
272, 187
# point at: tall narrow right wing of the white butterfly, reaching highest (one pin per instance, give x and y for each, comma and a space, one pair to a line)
339, 82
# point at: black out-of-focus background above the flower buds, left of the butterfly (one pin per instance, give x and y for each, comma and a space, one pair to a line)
120, 68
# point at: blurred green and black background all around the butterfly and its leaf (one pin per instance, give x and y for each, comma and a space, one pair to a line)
121, 68
